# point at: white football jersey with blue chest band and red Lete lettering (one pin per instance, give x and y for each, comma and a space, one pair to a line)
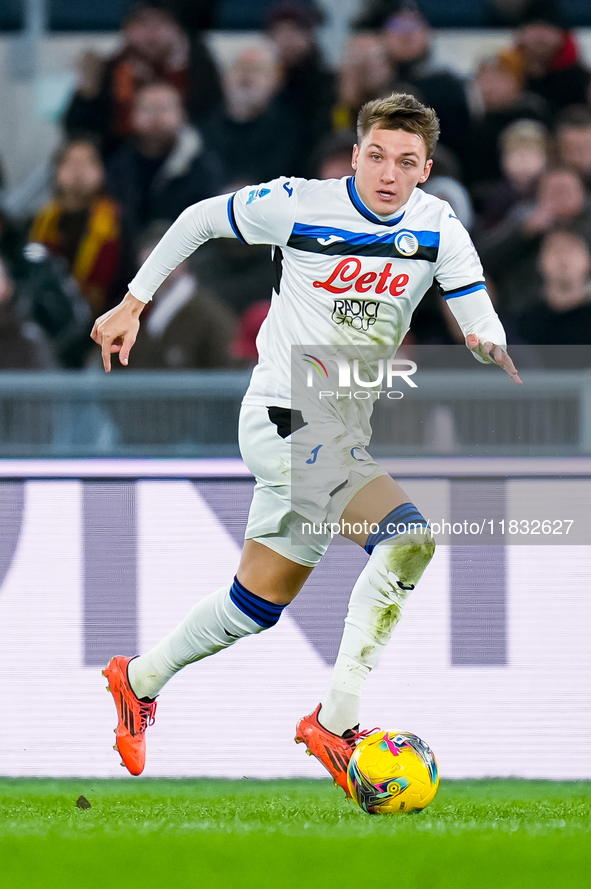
345, 277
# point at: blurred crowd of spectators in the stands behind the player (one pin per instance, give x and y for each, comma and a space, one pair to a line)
159, 126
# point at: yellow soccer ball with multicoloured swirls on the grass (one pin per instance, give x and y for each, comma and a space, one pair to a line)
392, 772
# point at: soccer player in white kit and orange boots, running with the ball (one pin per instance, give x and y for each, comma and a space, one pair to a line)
376, 238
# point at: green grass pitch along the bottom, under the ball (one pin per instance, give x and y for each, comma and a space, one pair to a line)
283, 834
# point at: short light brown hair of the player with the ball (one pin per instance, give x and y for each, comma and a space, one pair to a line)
400, 111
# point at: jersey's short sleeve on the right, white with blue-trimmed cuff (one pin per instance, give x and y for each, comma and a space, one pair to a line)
458, 265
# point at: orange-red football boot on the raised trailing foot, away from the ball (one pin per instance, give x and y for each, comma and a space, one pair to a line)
134, 716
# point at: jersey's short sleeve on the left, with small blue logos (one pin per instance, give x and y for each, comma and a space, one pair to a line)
264, 214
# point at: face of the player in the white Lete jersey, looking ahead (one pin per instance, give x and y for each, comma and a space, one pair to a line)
388, 165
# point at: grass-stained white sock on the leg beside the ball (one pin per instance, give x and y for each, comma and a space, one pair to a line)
375, 606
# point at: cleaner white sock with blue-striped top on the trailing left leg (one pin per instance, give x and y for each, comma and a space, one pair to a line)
215, 623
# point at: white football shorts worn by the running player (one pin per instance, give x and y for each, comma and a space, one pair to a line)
302, 484
